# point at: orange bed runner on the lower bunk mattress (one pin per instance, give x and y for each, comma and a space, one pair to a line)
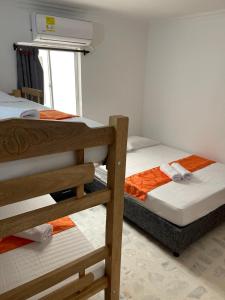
12, 242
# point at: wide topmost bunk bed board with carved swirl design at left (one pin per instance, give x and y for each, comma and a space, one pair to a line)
20, 138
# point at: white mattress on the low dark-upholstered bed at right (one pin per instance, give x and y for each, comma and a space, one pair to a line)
180, 203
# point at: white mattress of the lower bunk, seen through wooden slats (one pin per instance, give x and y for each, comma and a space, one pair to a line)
31, 261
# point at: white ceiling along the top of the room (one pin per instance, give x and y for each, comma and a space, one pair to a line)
150, 8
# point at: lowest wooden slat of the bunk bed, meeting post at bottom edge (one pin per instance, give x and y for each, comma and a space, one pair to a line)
92, 290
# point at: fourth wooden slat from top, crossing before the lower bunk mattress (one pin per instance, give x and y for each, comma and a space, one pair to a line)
50, 279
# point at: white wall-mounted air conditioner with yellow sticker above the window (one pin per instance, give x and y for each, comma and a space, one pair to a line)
56, 30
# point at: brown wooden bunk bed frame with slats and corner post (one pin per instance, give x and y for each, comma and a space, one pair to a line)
20, 139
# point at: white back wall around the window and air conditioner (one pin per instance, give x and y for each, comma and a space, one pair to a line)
112, 76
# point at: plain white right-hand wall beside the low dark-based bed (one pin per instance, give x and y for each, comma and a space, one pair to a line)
184, 103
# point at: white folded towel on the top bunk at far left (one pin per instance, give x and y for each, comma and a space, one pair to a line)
8, 112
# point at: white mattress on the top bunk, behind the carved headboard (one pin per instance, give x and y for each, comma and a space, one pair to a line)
48, 162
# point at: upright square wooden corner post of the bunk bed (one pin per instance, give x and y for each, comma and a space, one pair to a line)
114, 220
